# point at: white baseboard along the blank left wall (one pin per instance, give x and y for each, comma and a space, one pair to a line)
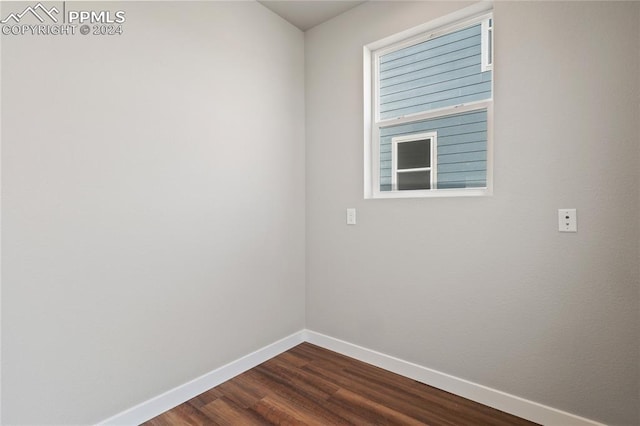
176, 396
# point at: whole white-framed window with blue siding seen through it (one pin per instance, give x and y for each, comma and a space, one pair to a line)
429, 109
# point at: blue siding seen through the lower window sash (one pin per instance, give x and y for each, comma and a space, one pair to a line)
461, 149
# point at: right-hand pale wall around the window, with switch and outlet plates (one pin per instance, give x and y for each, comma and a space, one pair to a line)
487, 289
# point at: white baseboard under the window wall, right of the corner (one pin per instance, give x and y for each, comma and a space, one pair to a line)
494, 398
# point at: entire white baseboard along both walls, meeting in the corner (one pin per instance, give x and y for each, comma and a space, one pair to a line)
494, 398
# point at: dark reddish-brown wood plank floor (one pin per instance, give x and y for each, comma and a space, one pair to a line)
309, 385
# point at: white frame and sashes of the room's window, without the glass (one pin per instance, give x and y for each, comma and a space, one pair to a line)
478, 13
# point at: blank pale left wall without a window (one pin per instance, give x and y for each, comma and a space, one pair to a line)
153, 204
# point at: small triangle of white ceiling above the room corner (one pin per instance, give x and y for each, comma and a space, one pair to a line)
306, 14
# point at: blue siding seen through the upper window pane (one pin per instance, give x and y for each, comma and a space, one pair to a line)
440, 72
